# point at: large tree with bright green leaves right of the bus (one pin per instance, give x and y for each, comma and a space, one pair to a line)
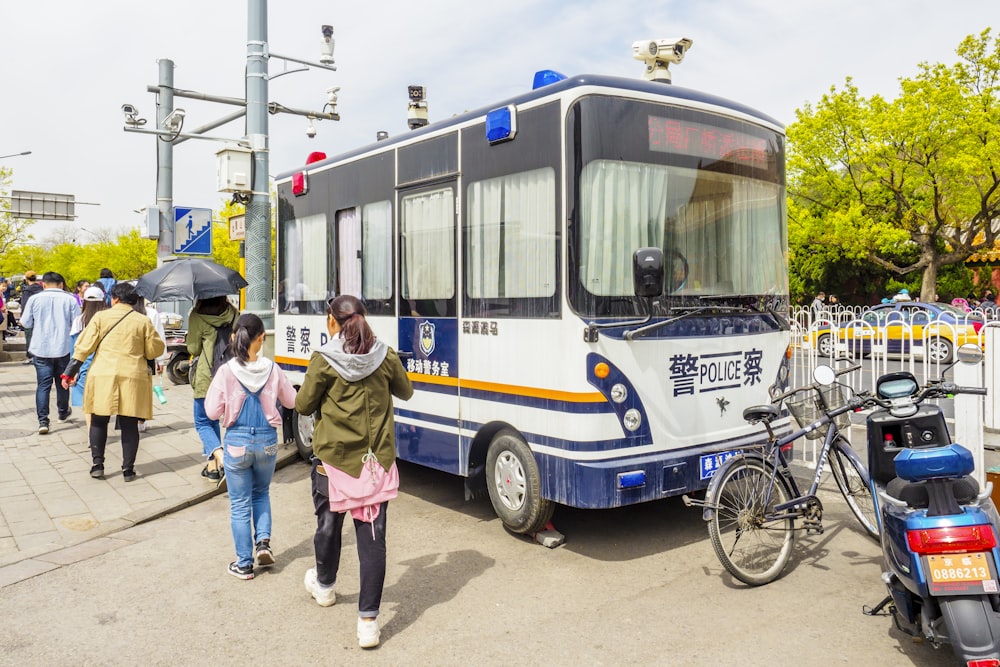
909, 185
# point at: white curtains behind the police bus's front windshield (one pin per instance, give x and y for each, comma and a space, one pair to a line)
728, 228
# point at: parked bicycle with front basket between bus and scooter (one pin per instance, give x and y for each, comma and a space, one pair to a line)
753, 501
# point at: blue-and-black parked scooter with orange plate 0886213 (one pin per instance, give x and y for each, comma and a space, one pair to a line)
938, 529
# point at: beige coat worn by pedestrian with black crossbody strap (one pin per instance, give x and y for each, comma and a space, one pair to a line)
118, 382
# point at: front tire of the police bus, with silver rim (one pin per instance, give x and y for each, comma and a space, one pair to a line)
515, 485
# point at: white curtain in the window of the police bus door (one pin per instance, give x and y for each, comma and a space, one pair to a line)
428, 255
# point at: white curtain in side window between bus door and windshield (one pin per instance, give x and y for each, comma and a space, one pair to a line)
511, 236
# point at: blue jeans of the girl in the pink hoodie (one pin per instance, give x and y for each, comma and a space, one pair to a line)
249, 458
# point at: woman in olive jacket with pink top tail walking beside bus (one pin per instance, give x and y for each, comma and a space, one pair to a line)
351, 381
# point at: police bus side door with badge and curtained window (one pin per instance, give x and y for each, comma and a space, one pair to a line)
428, 424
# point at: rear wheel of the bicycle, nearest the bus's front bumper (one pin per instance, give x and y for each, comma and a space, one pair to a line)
751, 547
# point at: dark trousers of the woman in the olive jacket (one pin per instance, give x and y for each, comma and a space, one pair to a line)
327, 541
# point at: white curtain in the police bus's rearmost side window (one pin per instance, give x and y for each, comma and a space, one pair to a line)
305, 285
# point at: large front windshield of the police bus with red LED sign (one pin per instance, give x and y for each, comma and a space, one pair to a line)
708, 193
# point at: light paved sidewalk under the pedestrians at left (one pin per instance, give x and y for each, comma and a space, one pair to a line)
49, 504
